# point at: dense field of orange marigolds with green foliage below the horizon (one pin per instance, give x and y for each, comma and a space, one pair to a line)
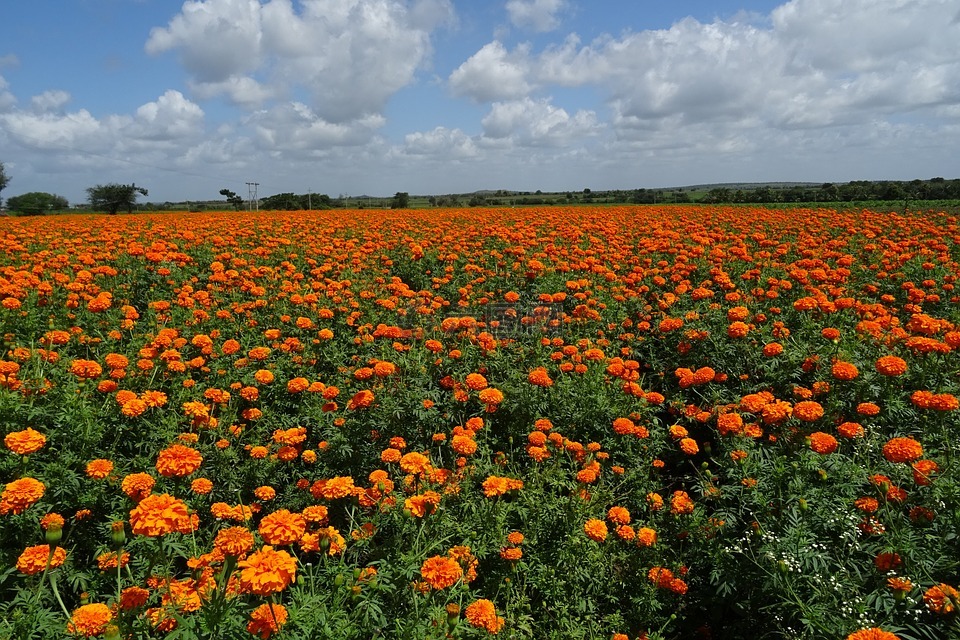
611, 423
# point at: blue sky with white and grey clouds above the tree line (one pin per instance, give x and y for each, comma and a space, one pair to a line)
450, 96
